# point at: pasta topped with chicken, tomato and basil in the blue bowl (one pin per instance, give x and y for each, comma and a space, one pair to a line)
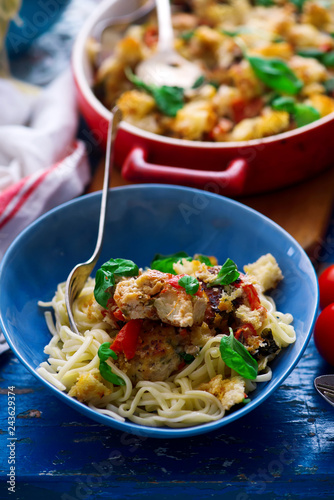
175, 345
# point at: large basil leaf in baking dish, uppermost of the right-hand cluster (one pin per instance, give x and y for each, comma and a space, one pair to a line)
276, 74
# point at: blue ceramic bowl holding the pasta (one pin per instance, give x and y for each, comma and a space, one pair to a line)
144, 220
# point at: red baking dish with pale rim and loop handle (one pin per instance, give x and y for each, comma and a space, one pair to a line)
229, 168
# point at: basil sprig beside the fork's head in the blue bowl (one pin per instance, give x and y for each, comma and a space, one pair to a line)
105, 277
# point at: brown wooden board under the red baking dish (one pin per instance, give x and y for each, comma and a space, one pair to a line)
303, 210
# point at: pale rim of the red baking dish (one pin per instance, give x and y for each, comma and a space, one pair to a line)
78, 57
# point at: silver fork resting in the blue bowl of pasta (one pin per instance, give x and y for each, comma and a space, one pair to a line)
79, 274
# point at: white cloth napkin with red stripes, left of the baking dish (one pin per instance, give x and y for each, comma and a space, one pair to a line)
41, 163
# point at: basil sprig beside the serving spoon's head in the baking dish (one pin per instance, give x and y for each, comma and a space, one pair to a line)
168, 99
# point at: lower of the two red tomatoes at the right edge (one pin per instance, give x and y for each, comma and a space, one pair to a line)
324, 334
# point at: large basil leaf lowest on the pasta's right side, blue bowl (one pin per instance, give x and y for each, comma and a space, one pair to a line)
236, 356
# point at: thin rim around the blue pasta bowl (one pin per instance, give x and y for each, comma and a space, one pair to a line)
128, 426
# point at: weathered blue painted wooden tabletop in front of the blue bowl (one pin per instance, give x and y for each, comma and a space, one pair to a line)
284, 449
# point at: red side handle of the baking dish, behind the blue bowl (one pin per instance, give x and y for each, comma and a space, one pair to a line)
227, 182
